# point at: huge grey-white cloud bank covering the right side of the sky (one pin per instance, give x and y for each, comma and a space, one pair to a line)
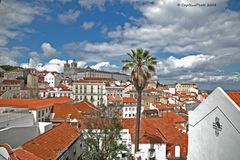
206, 38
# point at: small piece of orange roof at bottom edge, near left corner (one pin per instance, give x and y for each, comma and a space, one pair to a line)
25, 155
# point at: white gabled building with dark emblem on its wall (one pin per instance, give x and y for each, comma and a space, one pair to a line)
214, 128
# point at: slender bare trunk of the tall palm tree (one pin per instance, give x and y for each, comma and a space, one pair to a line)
138, 117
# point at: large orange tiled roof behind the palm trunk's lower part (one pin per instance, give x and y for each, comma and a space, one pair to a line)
158, 130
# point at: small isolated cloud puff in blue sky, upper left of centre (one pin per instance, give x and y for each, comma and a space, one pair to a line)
69, 17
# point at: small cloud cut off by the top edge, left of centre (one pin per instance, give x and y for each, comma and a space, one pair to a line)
91, 3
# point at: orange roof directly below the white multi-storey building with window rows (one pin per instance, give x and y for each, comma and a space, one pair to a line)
76, 110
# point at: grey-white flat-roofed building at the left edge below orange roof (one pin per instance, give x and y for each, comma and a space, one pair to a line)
17, 126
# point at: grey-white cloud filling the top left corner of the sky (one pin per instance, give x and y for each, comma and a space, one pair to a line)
14, 14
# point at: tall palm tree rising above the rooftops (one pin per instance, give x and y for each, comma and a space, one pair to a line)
142, 64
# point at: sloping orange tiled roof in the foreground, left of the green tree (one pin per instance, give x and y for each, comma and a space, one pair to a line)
53, 143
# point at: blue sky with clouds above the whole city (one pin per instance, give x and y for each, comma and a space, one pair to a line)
192, 43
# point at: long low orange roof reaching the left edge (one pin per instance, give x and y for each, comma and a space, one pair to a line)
33, 103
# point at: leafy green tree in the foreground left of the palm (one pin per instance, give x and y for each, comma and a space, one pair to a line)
102, 138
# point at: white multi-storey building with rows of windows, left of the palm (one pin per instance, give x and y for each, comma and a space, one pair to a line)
91, 90
